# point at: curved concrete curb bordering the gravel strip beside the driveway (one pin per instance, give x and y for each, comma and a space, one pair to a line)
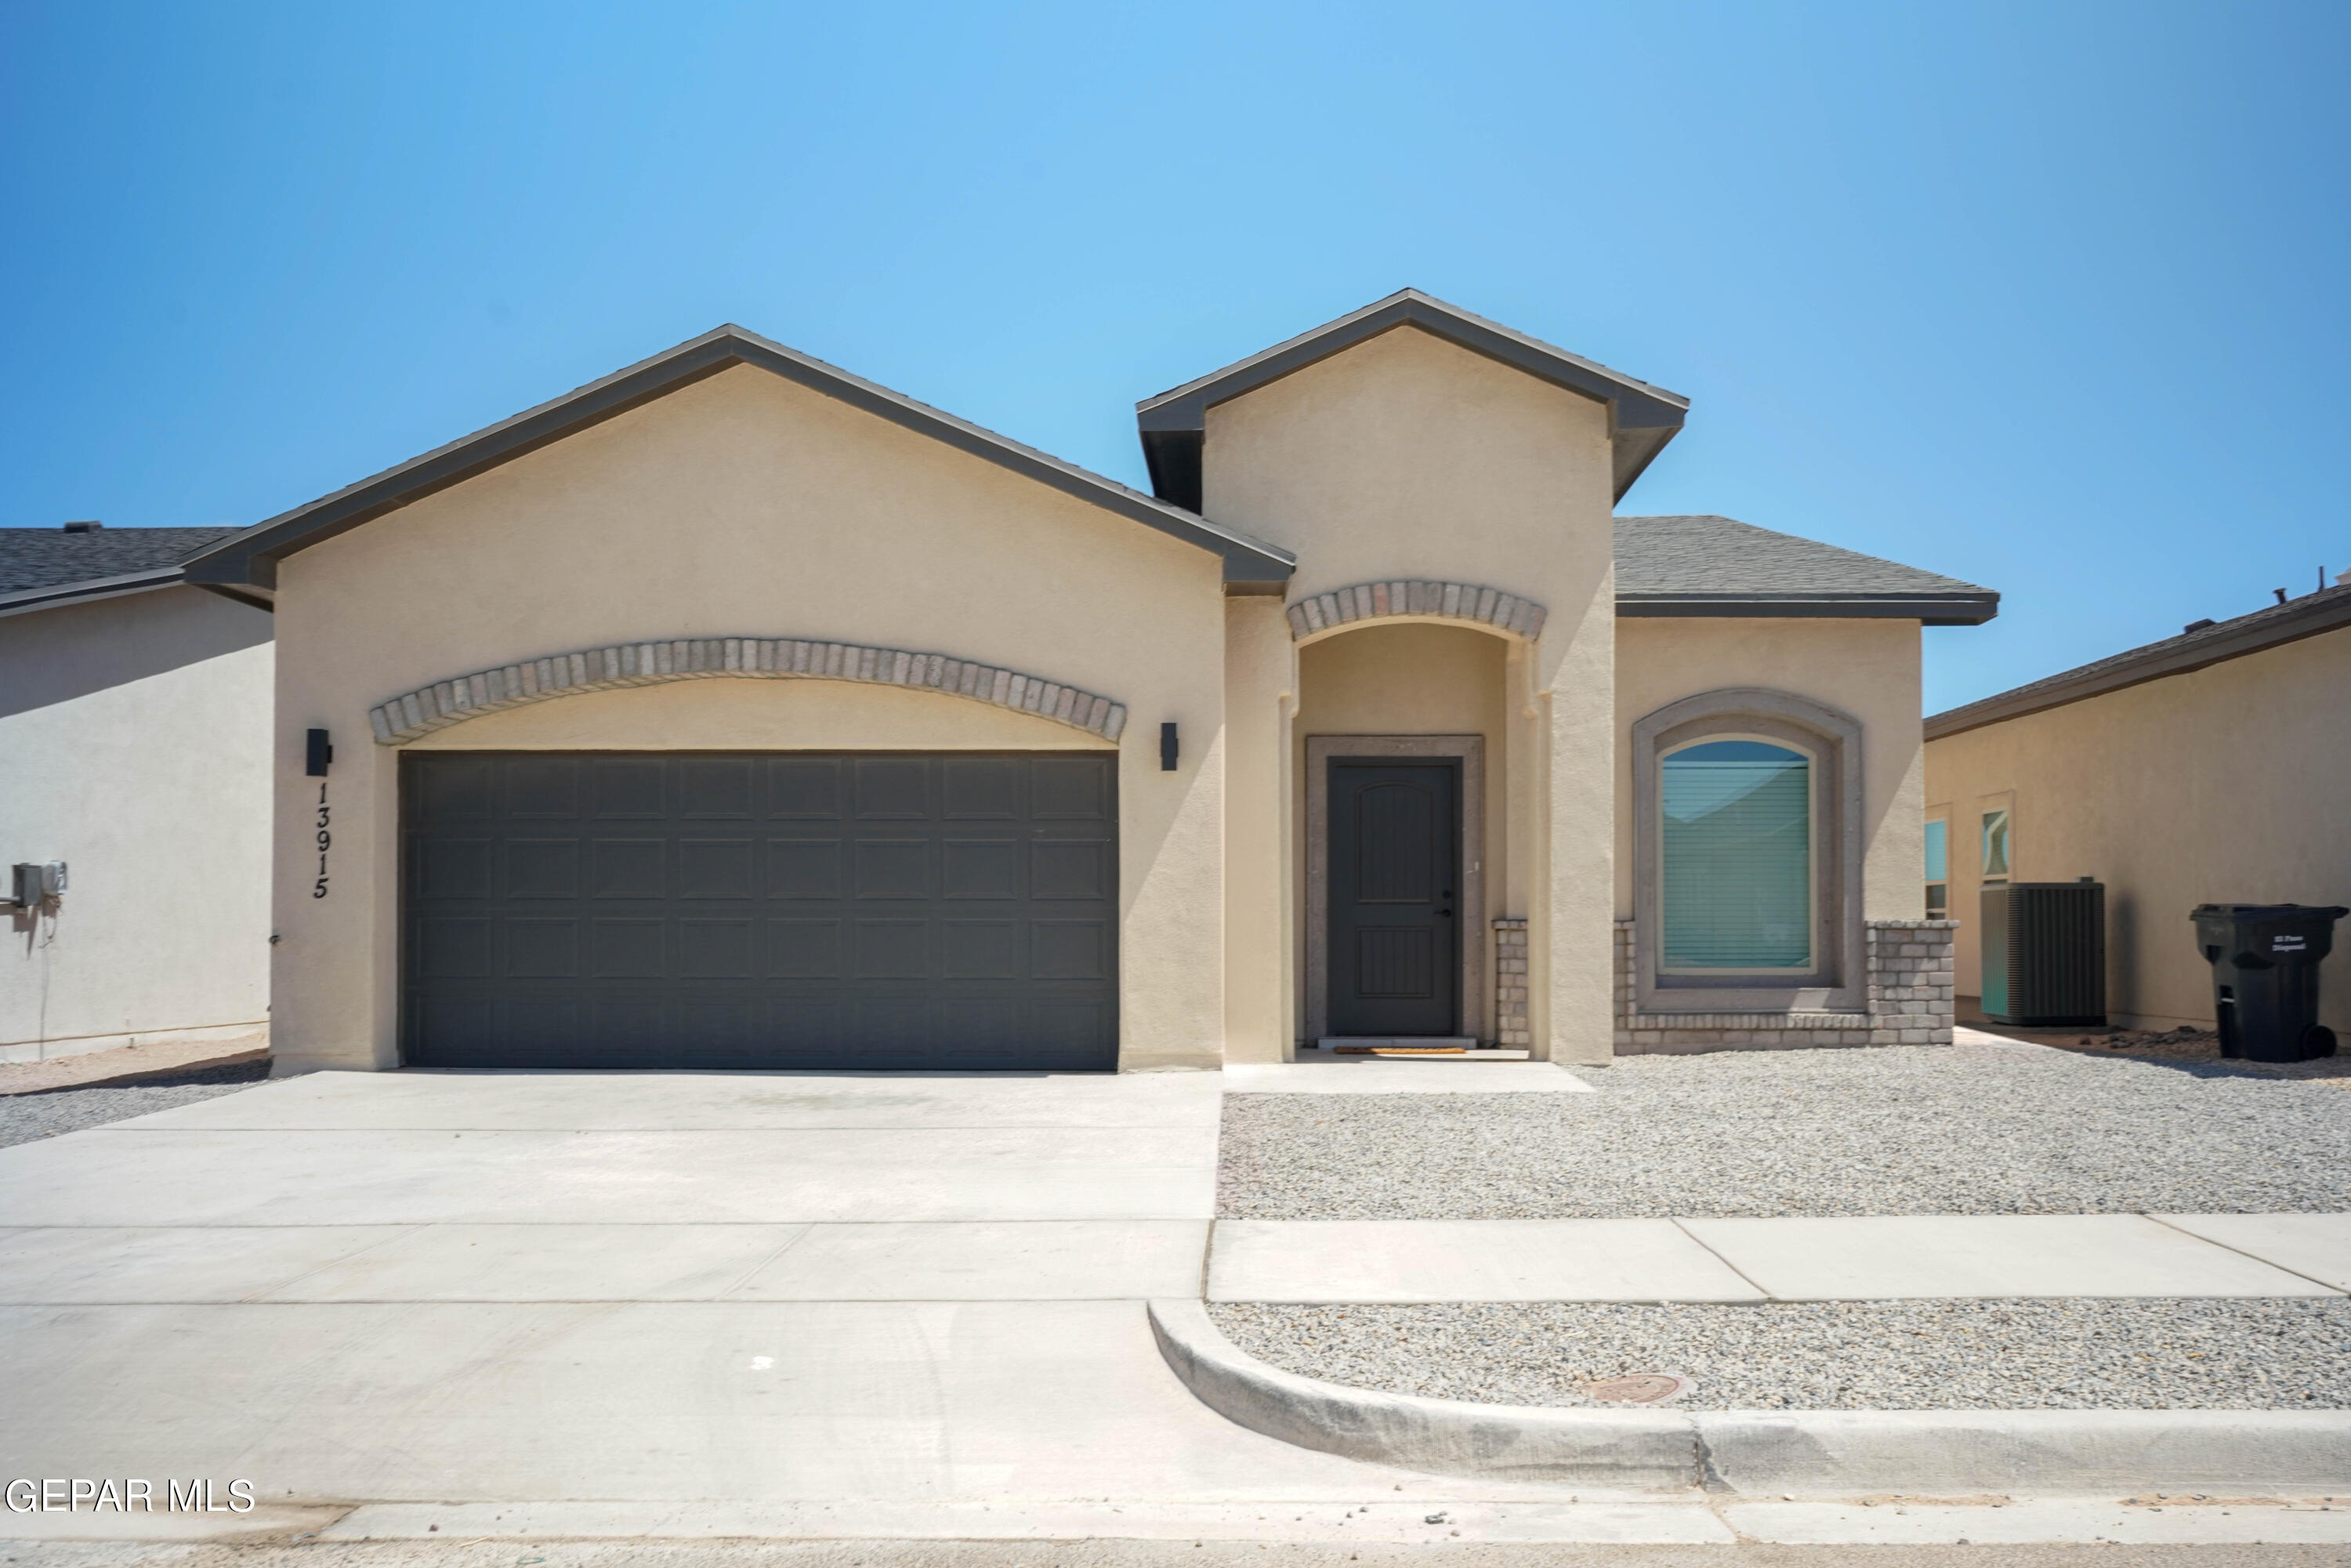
1764, 1452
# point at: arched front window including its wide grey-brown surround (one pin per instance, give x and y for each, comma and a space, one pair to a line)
1748, 857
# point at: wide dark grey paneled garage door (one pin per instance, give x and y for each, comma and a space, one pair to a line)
761, 911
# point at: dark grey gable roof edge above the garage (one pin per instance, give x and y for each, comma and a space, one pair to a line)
253, 556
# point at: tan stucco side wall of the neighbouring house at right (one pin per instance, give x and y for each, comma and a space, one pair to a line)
2221, 786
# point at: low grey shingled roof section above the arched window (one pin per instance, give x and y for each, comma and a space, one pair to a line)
1722, 568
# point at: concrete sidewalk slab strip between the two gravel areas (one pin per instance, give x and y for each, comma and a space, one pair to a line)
1797, 1259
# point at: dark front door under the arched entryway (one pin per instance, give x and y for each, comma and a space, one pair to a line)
1395, 920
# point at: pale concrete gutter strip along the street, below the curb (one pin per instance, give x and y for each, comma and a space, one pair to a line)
1146, 1534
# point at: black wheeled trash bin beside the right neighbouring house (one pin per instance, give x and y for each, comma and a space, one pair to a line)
2265, 977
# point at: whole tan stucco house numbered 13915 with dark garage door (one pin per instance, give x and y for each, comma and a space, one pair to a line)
742, 713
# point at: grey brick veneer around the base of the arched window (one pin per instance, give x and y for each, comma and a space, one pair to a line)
1908, 1003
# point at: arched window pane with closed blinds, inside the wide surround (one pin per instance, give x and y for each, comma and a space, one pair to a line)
1736, 850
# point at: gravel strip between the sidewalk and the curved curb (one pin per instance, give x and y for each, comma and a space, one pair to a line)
1962, 1355
